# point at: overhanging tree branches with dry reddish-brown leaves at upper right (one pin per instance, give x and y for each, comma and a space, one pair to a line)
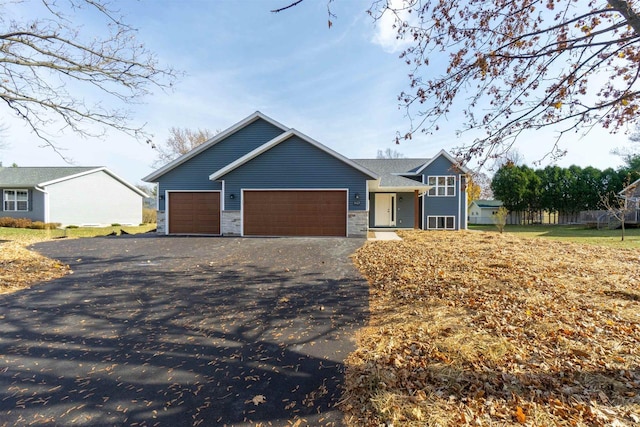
511, 67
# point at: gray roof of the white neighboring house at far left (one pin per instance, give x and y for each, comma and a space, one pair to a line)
47, 175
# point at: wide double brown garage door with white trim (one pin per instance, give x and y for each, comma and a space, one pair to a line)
295, 213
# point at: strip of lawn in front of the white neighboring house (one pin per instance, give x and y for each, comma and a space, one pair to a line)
28, 235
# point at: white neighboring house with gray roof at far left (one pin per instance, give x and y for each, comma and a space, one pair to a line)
82, 196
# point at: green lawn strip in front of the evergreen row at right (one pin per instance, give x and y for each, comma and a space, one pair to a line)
572, 233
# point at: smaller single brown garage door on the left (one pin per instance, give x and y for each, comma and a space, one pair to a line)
194, 213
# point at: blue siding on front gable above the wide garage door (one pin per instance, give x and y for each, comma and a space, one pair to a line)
295, 163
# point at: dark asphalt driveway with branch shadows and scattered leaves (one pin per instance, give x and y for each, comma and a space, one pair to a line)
177, 331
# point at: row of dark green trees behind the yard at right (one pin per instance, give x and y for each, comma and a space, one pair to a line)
561, 193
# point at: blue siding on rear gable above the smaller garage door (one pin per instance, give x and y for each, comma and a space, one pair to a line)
194, 173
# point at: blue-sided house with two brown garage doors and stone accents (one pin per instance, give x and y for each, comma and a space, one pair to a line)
261, 178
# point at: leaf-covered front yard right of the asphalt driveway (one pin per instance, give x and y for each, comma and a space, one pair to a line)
473, 328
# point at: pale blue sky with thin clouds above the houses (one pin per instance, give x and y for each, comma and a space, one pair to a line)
338, 86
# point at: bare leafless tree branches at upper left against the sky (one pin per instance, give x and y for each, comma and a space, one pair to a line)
56, 74
